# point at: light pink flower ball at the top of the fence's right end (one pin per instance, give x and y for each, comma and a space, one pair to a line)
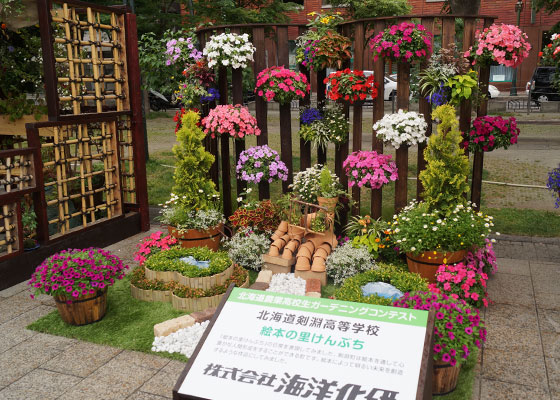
505, 44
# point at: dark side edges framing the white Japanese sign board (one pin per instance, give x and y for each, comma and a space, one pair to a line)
424, 388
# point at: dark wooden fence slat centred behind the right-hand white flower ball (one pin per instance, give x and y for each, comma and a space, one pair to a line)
403, 93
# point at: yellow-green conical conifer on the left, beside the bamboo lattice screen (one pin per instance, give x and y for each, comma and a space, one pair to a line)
192, 185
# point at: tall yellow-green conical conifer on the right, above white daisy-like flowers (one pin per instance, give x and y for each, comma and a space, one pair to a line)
445, 176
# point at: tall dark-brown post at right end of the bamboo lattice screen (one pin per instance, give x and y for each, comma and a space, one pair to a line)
136, 122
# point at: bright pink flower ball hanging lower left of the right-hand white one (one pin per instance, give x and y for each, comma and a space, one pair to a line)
369, 169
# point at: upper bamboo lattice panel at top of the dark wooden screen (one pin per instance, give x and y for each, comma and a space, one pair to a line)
87, 79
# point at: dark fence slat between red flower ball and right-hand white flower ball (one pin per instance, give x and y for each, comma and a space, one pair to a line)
378, 112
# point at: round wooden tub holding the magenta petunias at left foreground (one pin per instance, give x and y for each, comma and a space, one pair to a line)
84, 310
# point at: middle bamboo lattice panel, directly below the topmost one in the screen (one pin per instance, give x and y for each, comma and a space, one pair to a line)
80, 146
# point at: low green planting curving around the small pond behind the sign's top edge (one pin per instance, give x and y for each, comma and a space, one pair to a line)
405, 281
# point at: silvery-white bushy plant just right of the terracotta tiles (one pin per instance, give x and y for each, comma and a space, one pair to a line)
346, 261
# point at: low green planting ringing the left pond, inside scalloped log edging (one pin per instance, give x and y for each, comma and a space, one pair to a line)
169, 260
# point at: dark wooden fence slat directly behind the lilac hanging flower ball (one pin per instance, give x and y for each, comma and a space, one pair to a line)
260, 104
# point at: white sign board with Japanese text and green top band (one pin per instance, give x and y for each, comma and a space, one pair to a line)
271, 346
